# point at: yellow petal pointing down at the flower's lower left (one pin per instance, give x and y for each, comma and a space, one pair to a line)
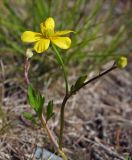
41, 45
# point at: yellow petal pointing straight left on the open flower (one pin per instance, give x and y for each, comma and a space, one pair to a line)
29, 36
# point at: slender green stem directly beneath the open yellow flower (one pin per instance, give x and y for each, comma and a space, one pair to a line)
61, 63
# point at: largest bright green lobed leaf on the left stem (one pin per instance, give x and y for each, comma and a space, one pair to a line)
36, 100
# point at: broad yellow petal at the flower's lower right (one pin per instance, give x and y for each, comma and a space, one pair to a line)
62, 42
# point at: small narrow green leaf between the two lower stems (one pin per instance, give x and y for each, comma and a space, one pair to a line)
49, 112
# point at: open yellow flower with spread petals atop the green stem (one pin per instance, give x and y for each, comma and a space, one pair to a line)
42, 40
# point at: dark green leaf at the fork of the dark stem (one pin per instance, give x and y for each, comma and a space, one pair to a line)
78, 84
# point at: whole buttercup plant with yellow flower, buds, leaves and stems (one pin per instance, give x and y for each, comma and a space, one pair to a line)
36, 100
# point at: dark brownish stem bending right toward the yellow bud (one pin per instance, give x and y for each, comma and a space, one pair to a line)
67, 96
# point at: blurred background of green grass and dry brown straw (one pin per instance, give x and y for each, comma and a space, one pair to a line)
103, 33
